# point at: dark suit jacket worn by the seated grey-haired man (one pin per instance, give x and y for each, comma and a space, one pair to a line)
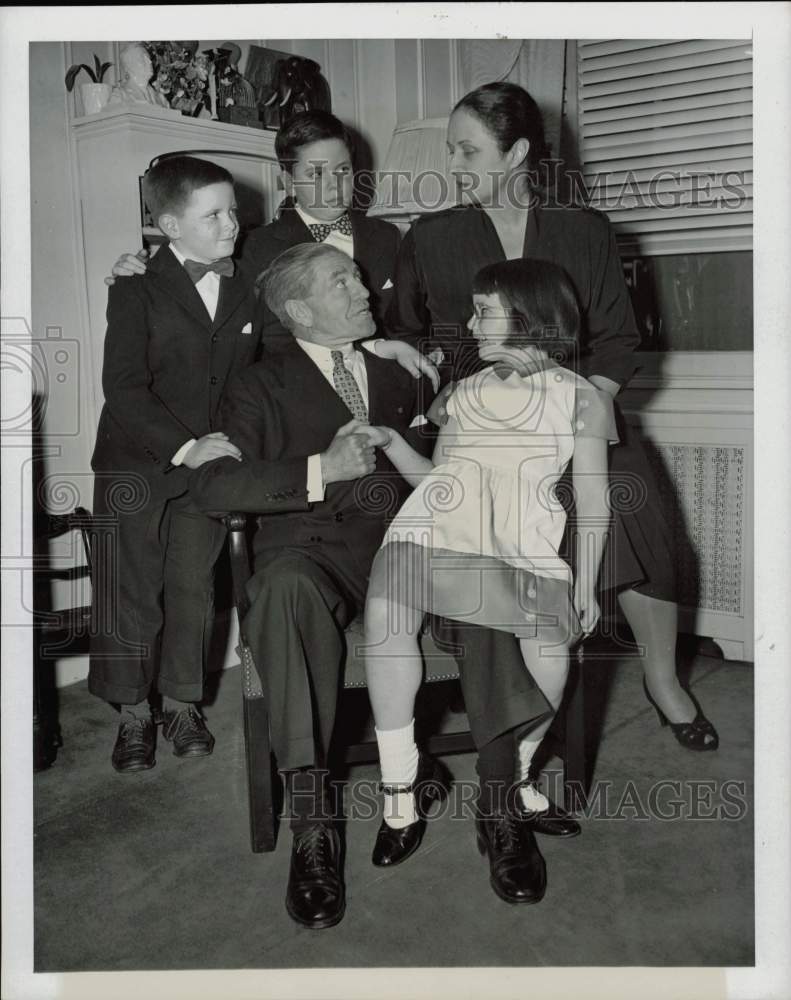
280, 411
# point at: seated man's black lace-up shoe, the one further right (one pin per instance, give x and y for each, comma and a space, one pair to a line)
517, 871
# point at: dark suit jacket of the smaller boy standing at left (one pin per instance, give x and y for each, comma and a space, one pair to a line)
166, 365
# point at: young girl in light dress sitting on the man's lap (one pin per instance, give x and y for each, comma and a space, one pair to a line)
478, 539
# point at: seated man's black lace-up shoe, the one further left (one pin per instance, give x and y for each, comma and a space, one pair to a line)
315, 896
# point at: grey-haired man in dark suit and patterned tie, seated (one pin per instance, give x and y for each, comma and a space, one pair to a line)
310, 467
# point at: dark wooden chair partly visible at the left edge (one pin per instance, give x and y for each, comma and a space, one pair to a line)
55, 633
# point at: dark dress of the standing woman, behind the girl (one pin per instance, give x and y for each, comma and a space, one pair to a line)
432, 303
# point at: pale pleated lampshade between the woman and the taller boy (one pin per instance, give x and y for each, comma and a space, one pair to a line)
414, 178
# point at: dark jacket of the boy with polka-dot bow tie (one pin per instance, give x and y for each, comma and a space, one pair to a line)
375, 252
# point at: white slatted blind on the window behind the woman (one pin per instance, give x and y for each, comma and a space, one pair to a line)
665, 133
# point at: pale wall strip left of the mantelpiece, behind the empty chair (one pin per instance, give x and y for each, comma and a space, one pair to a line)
62, 476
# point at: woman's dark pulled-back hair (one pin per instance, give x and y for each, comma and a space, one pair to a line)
509, 113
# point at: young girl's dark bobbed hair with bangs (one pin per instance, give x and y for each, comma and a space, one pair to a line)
540, 297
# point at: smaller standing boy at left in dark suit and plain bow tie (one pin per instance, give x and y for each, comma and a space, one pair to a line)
174, 338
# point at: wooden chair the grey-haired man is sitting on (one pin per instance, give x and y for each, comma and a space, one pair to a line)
439, 666
